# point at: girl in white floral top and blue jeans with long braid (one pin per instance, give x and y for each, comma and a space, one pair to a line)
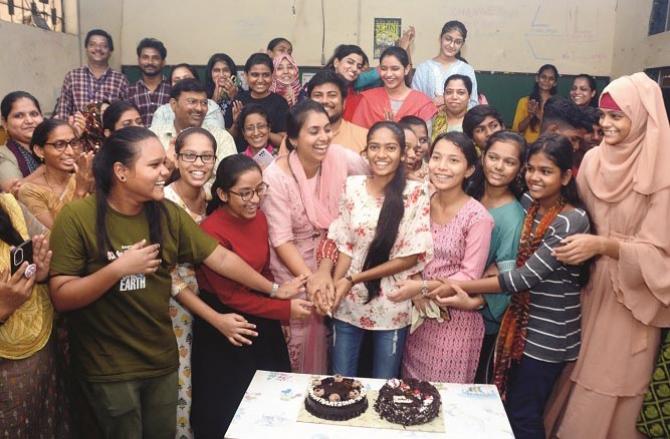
383, 236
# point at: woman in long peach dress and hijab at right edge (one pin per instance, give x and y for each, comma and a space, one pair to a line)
626, 188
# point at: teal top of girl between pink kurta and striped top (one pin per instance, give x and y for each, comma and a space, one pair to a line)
508, 220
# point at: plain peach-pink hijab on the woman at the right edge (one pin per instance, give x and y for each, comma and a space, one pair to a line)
640, 162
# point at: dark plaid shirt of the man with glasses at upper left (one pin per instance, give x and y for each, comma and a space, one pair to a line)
80, 88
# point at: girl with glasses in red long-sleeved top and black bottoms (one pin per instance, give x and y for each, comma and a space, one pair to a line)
222, 370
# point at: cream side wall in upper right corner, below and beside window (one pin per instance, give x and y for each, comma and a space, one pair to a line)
634, 49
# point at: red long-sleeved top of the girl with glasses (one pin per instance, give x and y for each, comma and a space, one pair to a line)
249, 240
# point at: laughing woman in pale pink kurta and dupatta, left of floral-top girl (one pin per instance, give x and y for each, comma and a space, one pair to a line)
301, 202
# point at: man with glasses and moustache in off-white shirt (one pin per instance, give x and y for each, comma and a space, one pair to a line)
188, 100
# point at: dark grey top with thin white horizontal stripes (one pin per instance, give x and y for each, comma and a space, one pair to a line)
554, 328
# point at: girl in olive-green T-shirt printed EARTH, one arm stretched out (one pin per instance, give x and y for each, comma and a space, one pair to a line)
113, 253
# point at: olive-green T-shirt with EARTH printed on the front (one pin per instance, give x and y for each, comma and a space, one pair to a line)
127, 333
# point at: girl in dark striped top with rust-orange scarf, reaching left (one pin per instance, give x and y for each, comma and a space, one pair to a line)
540, 331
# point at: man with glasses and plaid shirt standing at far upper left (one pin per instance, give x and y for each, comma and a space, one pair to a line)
93, 82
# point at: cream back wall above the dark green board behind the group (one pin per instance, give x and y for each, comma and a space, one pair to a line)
505, 36
